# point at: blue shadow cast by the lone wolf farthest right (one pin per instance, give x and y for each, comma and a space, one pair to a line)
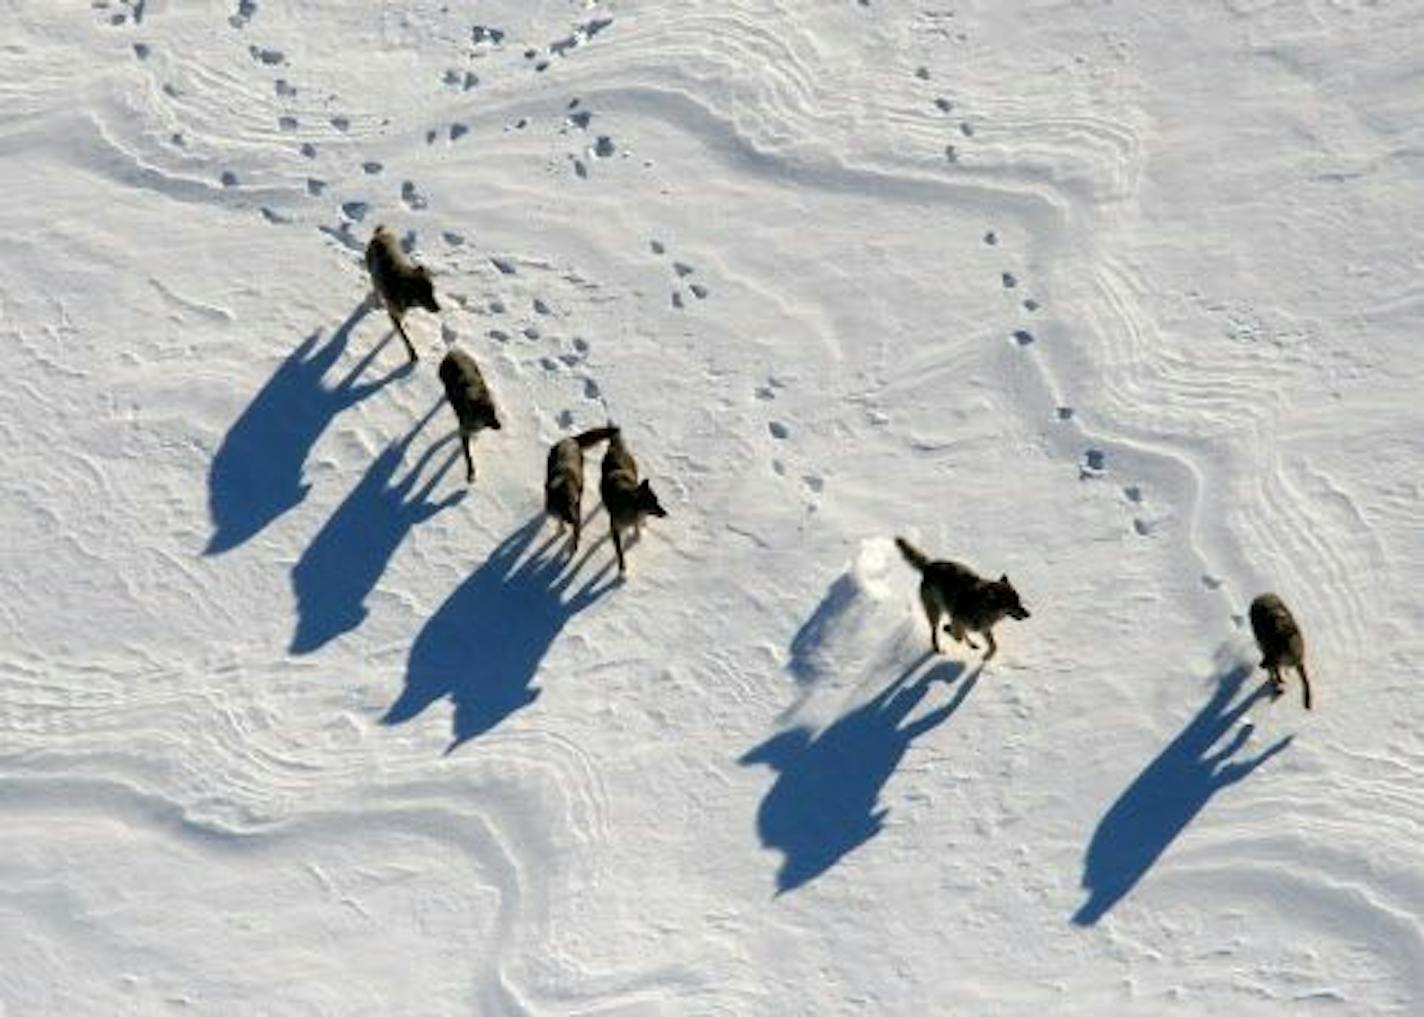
1177, 786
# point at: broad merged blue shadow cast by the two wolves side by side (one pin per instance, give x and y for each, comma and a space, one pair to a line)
483, 647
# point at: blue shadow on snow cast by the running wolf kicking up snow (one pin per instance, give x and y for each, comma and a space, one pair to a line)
824, 803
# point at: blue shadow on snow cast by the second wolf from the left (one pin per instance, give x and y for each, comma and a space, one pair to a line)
350, 555
